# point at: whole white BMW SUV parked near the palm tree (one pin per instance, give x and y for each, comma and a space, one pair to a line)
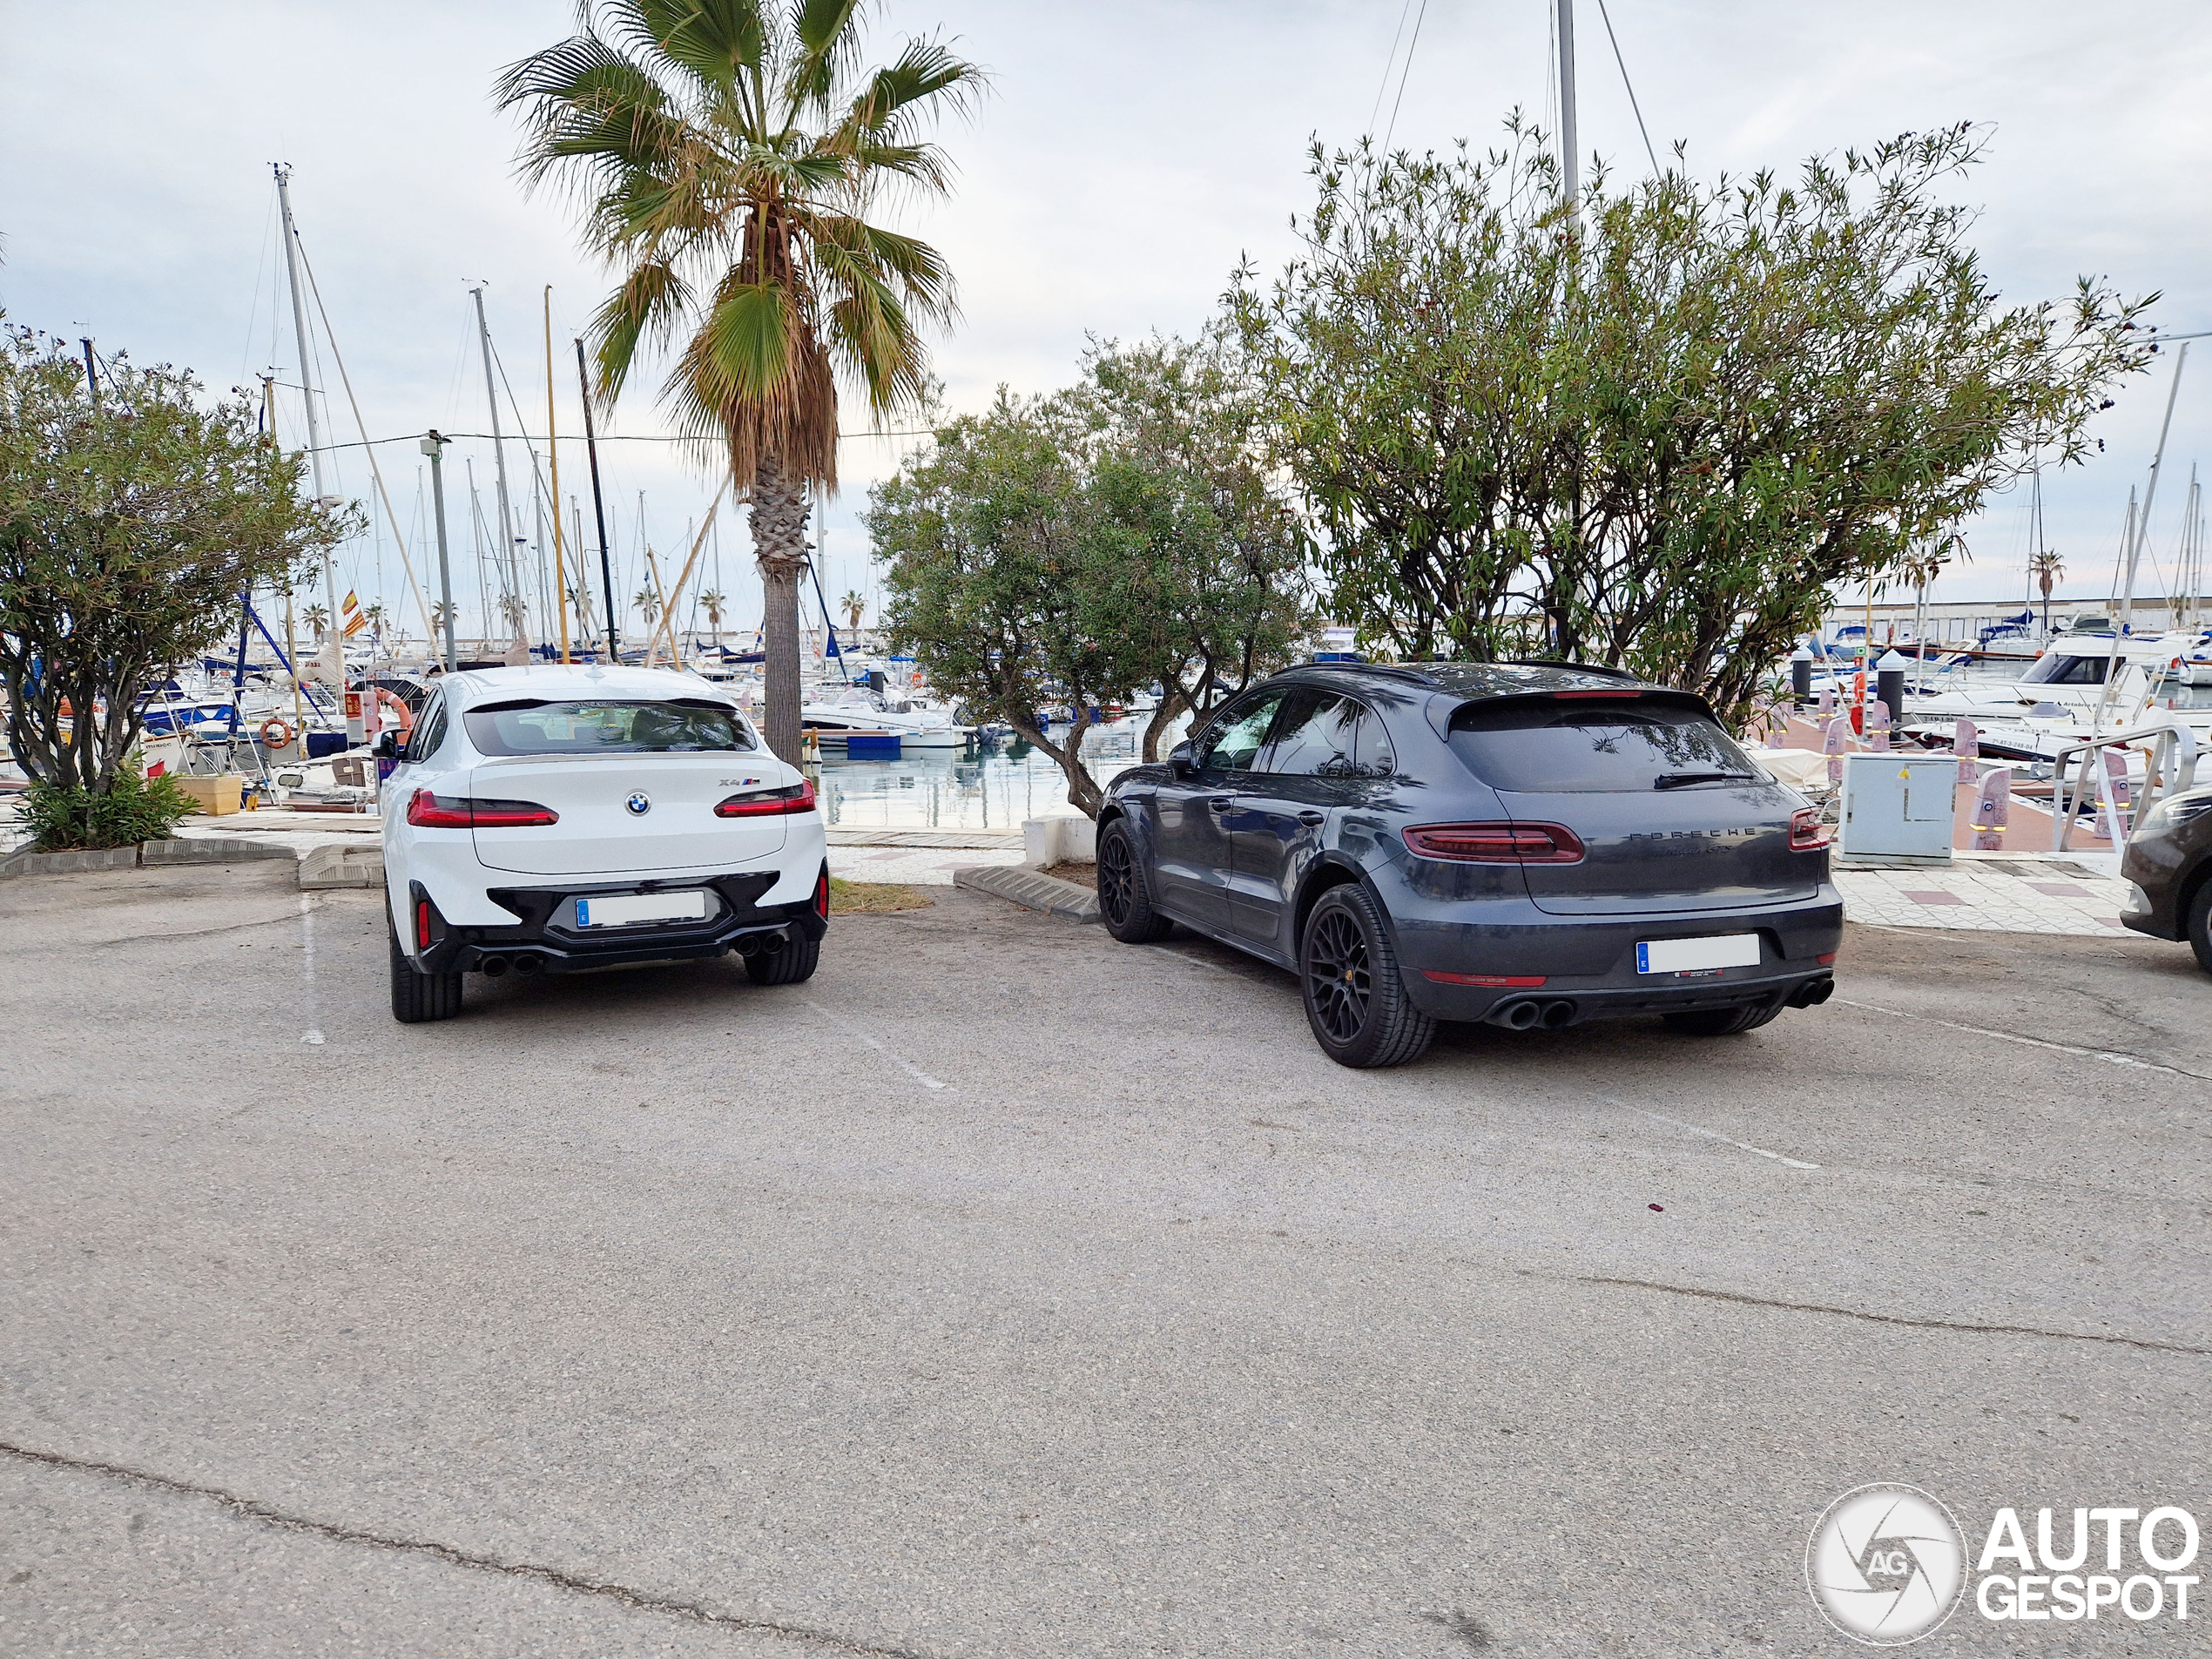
556, 820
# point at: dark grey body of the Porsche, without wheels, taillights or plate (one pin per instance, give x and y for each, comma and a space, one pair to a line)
1242, 842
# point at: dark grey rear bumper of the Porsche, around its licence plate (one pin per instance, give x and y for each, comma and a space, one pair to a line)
1592, 961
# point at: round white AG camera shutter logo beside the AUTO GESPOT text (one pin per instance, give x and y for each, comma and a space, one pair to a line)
1886, 1565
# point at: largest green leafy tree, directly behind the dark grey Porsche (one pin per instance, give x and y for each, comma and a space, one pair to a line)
1662, 435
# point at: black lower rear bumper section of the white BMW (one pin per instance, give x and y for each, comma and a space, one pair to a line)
545, 939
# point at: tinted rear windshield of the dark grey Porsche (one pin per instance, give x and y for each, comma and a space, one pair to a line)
1580, 749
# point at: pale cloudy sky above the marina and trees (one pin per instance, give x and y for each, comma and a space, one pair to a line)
1125, 160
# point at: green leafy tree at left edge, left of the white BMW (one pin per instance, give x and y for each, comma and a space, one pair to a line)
129, 528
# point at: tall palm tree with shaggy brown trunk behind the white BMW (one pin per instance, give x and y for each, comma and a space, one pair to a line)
729, 158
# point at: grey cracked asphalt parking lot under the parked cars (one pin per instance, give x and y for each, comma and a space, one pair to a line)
1012, 1293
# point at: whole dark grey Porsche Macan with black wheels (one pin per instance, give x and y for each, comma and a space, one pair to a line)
1523, 844
